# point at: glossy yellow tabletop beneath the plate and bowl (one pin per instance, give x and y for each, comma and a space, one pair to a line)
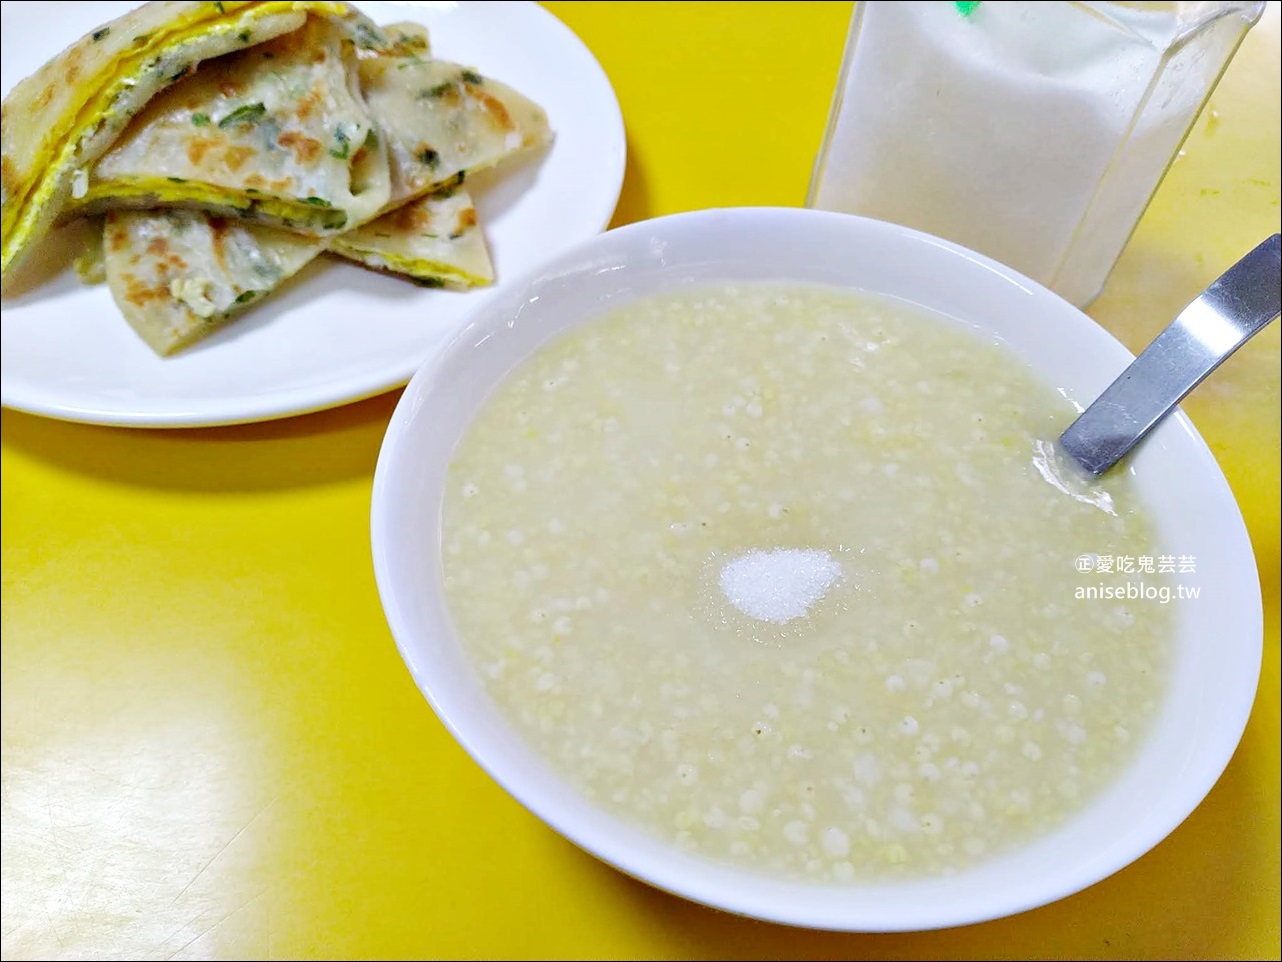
211, 748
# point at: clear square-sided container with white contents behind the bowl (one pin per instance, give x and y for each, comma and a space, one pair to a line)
1033, 133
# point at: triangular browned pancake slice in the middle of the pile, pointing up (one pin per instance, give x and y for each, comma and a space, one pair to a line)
276, 134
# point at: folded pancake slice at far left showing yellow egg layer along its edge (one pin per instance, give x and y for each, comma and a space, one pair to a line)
60, 121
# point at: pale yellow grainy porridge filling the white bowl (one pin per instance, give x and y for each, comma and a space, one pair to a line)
778, 573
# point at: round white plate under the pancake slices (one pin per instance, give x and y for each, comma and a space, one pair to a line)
339, 333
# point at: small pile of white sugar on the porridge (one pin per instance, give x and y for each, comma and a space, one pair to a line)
779, 586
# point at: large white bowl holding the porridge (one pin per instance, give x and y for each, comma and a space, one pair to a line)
1220, 636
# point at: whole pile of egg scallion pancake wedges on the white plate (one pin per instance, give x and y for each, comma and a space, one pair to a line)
215, 149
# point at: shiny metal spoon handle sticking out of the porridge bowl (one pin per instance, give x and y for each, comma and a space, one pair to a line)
1240, 303
